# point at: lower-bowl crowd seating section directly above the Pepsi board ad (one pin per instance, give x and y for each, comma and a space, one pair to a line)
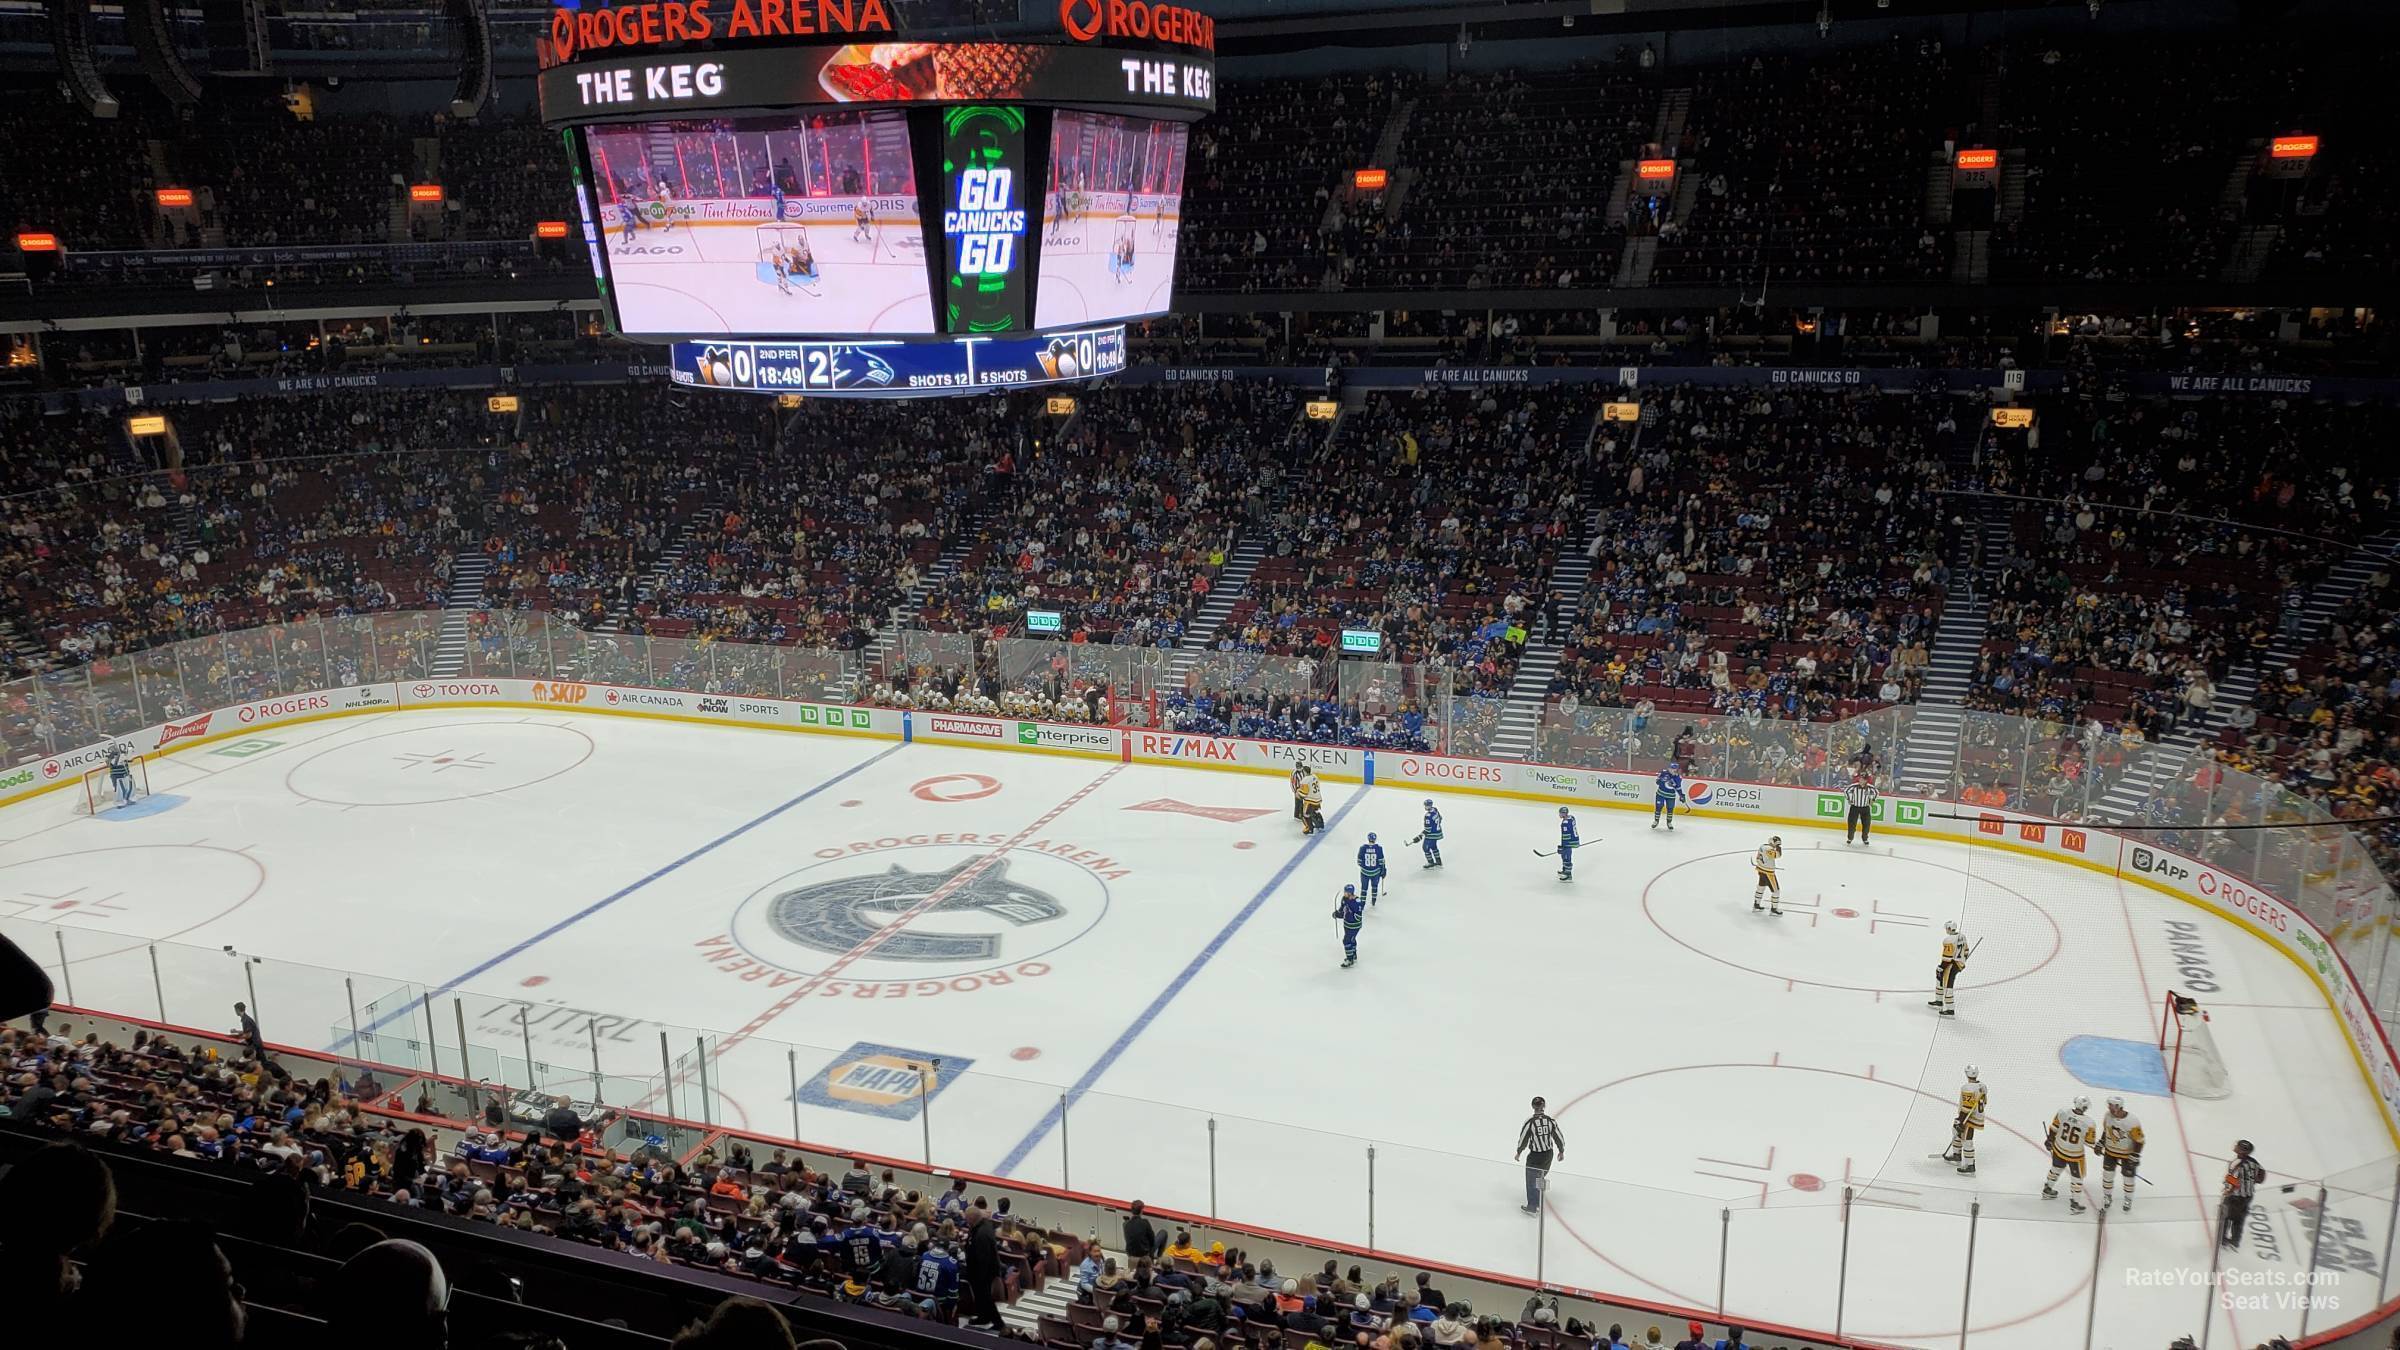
1765, 556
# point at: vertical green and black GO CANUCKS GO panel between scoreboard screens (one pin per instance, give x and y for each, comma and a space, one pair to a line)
983, 222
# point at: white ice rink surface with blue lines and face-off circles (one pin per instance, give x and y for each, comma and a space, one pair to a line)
1148, 950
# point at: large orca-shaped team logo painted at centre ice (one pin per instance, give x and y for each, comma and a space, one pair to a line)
839, 916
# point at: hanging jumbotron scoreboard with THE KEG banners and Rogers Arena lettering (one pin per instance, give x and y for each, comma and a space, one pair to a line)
805, 201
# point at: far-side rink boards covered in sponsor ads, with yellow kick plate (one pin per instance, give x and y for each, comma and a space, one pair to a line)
2267, 916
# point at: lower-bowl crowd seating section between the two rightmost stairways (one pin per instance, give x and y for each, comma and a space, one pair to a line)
2166, 542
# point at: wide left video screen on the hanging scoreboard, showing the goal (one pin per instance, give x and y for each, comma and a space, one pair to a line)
788, 225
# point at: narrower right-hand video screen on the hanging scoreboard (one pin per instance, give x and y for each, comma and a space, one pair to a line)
1112, 210
